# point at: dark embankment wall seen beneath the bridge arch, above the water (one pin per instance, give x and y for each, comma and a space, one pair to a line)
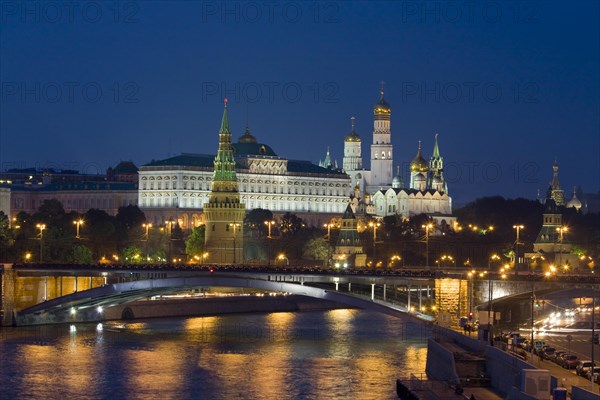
208, 306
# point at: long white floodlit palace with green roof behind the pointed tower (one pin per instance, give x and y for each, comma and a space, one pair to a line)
177, 188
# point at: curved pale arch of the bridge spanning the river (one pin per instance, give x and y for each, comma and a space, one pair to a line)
83, 306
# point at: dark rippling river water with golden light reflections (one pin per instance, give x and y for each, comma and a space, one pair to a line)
338, 354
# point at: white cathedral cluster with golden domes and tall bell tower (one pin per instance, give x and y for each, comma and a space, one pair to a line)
386, 194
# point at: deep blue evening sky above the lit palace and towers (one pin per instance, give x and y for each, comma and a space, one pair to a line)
508, 87
